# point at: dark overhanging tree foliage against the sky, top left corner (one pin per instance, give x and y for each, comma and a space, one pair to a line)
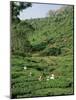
16, 7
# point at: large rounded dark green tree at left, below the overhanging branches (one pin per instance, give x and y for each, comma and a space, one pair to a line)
19, 37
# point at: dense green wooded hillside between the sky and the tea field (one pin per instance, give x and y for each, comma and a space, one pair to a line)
45, 36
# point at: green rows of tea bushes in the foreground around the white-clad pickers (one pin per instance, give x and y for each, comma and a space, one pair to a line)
24, 84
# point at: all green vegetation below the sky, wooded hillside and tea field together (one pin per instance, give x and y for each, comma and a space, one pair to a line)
44, 46
